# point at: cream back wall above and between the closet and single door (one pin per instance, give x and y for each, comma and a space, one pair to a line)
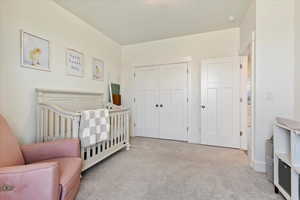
206, 45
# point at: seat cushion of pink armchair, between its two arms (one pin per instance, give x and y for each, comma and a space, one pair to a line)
69, 169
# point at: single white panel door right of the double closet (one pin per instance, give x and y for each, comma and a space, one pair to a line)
220, 102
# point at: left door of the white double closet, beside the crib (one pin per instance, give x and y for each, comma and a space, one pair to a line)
146, 116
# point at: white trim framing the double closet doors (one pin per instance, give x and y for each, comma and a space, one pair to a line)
186, 60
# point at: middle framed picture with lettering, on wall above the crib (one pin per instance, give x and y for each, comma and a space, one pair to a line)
74, 63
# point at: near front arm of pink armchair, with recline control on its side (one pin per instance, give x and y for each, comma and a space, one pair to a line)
34, 182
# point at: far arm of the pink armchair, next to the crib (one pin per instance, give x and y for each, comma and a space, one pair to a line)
51, 150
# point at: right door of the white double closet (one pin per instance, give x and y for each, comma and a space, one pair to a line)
173, 101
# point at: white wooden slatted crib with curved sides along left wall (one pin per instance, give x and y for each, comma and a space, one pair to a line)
58, 117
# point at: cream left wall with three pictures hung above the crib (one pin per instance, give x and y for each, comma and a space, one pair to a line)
64, 30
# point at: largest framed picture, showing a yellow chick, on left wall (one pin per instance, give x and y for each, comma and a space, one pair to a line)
35, 52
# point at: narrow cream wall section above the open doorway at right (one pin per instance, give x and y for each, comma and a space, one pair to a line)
247, 26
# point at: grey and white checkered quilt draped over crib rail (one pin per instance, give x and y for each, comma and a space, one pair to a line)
94, 127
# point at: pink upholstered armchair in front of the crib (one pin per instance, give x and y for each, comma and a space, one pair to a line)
47, 171
